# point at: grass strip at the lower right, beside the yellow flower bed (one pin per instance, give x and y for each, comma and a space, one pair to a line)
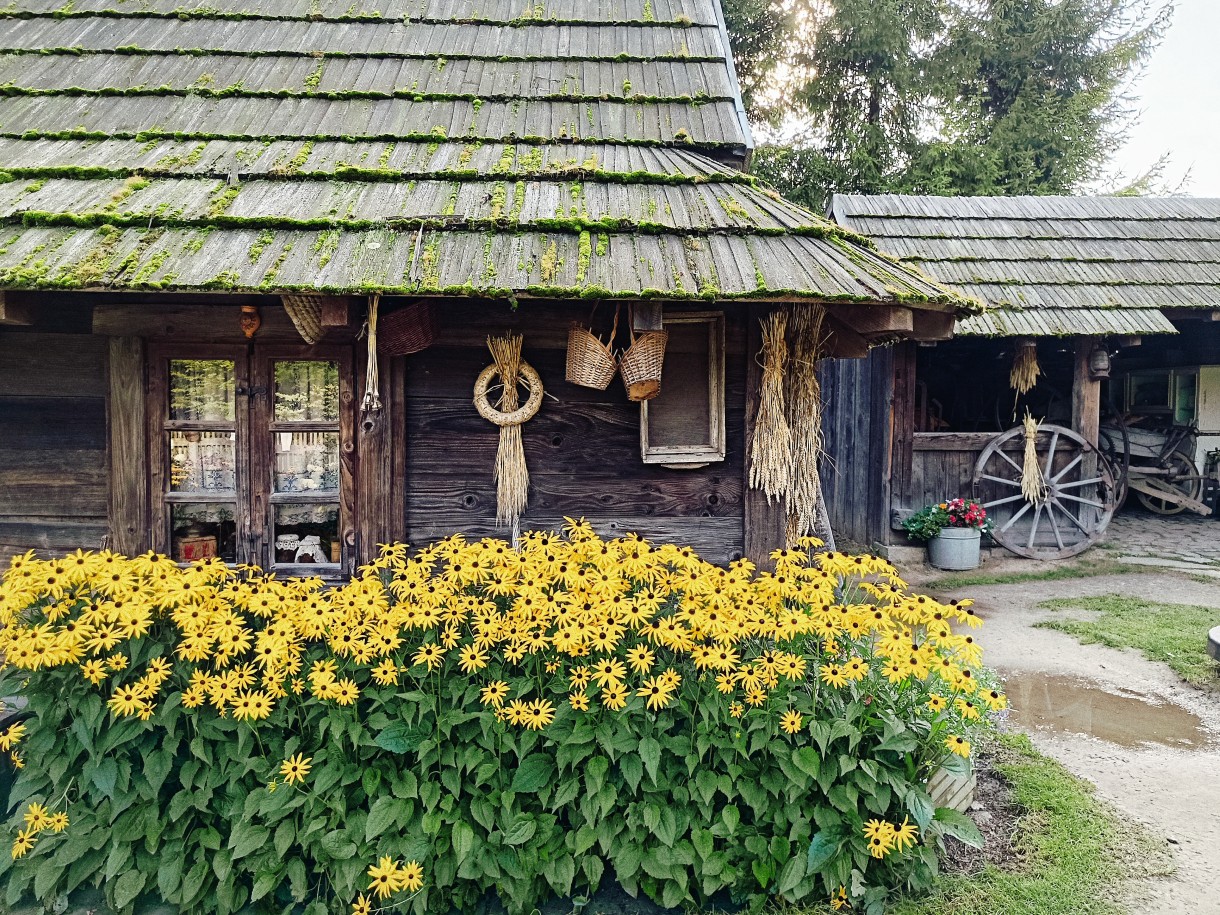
1077, 852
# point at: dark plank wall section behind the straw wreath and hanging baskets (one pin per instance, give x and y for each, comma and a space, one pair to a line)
583, 448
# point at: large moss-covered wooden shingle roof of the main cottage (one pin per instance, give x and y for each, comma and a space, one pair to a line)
569, 148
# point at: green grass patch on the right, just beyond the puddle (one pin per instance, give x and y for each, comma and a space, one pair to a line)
1173, 634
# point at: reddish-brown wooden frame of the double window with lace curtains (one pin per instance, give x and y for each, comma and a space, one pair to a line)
254, 448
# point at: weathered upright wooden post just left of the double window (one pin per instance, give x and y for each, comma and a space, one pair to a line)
129, 452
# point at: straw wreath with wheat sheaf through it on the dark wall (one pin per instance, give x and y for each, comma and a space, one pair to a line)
512, 475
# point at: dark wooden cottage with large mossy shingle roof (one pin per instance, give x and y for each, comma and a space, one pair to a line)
210, 210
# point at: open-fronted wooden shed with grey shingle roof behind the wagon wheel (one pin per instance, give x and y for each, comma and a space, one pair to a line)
1082, 281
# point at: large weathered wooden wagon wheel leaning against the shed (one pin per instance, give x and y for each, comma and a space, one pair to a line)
1078, 502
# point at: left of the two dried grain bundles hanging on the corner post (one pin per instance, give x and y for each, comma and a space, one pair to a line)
772, 450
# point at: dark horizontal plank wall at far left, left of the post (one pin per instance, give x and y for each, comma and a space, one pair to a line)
53, 441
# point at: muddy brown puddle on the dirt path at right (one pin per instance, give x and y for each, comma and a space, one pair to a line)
1069, 706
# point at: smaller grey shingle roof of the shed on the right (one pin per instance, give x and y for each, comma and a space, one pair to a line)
1055, 265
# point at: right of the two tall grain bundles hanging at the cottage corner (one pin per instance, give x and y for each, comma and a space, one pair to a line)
806, 419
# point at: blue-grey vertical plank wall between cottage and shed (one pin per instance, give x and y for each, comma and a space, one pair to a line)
857, 435
